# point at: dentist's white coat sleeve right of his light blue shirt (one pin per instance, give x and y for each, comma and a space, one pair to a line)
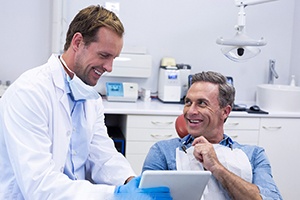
107, 164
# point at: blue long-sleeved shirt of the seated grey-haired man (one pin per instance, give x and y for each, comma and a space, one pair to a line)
162, 156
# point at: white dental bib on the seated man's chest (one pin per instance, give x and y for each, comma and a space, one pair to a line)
235, 160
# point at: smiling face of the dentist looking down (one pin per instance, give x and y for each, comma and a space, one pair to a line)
93, 60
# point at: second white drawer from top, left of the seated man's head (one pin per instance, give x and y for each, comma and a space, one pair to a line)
141, 134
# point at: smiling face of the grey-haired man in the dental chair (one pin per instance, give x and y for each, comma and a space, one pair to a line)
202, 112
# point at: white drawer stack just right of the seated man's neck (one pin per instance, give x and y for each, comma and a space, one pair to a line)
243, 130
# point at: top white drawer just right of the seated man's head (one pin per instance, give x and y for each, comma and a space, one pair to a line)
235, 123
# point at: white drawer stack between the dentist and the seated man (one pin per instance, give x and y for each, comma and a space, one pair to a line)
142, 131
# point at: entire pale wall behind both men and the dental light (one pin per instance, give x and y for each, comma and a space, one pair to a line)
183, 29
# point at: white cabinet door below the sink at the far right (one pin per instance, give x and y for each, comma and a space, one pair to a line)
279, 137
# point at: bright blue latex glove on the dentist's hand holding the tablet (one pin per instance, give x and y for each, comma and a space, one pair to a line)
131, 191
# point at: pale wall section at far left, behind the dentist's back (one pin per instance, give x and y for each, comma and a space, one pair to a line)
24, 37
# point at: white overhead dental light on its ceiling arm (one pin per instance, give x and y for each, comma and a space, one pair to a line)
241, 47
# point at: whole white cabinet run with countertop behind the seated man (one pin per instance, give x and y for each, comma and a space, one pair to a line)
145, 123
